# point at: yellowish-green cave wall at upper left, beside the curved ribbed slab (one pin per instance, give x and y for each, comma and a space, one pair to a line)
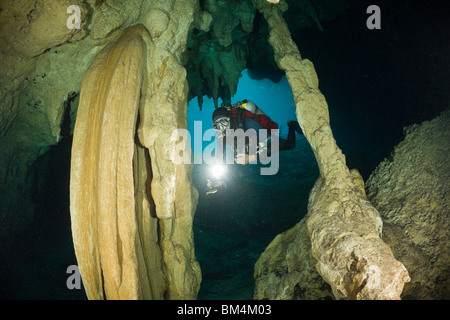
42, 67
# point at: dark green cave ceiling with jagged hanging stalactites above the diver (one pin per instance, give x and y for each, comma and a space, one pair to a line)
230, 36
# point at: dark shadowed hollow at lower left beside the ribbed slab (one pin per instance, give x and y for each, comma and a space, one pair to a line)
38, 259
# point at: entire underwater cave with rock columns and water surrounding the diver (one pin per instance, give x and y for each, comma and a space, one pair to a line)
358, 209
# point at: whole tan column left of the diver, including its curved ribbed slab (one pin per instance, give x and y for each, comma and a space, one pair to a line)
131, 205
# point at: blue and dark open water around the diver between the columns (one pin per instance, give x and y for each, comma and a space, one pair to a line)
233, 225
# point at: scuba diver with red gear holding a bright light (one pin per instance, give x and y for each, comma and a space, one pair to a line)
246, 115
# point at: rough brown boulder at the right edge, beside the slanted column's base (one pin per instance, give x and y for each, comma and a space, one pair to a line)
411, 190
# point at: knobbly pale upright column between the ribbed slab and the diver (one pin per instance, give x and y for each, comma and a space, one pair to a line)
163, 110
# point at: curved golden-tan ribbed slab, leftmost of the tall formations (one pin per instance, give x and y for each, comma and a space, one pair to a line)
102, 192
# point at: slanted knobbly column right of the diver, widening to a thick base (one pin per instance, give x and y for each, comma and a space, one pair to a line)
344, 227
